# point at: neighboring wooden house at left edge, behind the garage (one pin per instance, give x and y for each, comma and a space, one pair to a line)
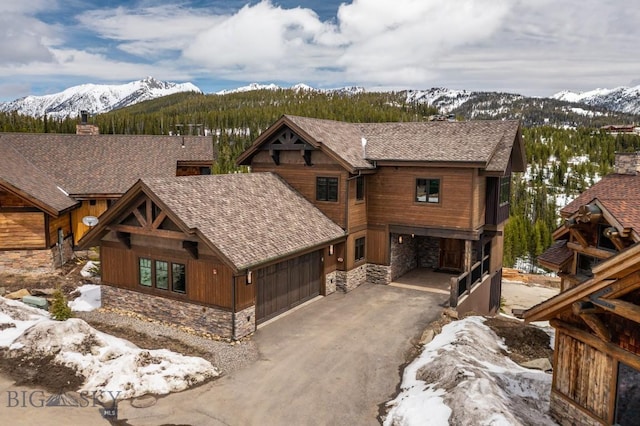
50, 182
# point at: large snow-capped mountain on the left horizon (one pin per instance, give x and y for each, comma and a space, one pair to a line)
95, 98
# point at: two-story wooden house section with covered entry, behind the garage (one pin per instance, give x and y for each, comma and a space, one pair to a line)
408, 195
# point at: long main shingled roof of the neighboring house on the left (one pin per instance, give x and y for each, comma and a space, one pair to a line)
105, 164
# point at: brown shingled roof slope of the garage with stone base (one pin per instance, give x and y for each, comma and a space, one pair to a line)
250, 218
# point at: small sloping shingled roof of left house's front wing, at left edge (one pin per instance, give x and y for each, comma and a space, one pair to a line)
24, 179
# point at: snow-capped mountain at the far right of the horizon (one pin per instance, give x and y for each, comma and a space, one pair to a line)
621, 99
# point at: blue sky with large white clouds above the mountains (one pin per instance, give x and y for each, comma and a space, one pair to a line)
530, 47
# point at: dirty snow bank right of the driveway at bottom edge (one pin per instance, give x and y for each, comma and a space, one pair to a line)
462, 377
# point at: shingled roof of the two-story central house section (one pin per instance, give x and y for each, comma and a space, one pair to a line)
487, 144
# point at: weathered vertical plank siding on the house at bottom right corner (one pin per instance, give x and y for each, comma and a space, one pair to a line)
583, 374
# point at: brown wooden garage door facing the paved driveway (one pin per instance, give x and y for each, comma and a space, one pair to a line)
282, 286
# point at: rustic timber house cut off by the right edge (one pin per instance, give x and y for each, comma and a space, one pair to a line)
596, 377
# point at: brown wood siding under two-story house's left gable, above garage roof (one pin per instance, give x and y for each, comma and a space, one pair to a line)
303, 179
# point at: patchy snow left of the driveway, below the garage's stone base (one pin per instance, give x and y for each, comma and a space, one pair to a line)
106, 362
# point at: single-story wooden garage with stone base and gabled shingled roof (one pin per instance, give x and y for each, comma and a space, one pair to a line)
218, 253
